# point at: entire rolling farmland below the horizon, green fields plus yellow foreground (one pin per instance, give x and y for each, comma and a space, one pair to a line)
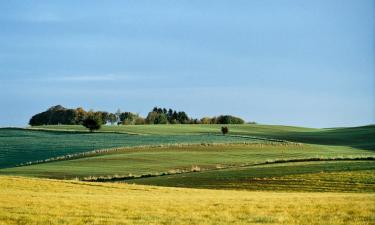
187, 174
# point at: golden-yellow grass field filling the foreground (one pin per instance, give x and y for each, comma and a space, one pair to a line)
38, 201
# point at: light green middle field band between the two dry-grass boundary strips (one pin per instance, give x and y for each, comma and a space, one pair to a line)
163, 159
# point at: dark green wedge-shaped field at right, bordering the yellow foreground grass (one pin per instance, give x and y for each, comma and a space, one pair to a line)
348, 176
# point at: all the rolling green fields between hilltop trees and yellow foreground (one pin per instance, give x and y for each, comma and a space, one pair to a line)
221, 162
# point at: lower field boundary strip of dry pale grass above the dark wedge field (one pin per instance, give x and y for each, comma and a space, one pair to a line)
195, 169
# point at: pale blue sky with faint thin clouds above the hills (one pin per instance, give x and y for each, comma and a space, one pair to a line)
304, 63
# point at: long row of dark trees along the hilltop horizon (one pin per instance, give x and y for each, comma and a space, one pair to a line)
60, 115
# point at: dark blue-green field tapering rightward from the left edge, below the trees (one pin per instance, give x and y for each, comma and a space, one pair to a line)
20, 146
